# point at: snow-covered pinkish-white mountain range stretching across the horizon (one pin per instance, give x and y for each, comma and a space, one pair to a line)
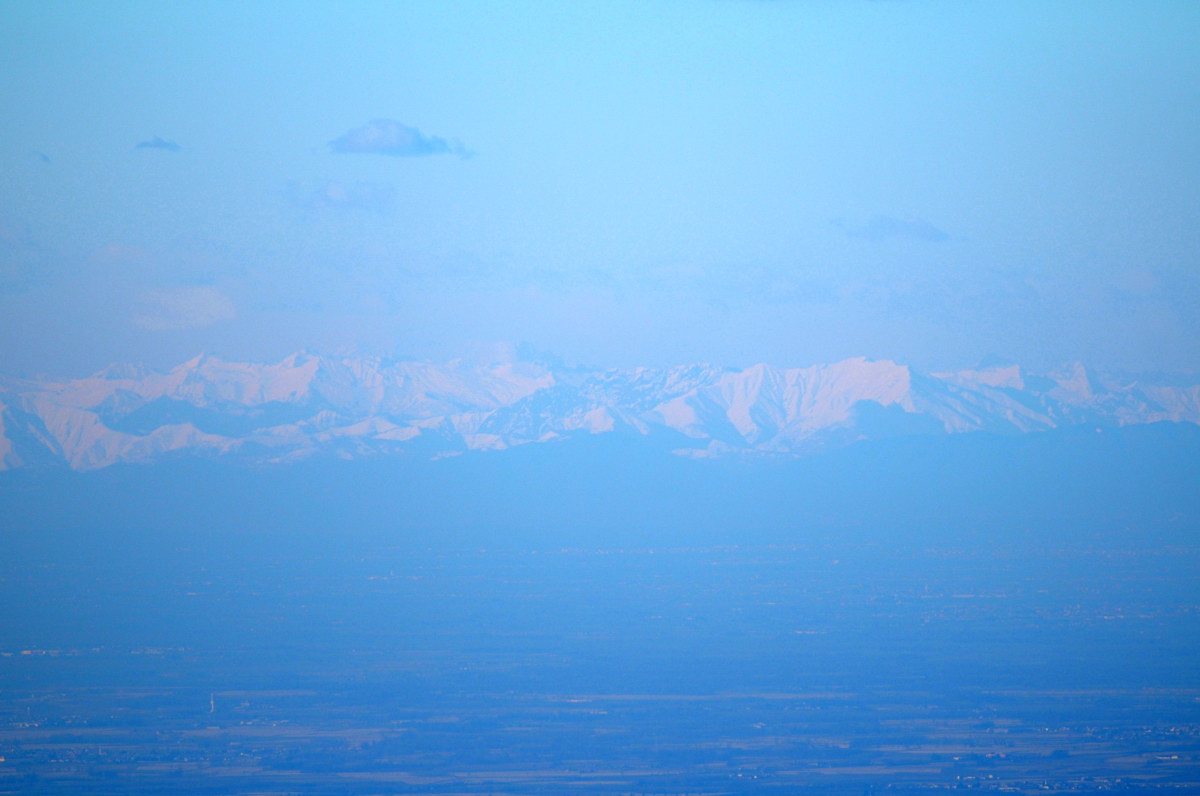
311, 406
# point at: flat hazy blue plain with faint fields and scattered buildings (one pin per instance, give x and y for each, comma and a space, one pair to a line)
349, 665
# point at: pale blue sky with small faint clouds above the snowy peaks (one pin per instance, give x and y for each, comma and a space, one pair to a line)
621, 184
